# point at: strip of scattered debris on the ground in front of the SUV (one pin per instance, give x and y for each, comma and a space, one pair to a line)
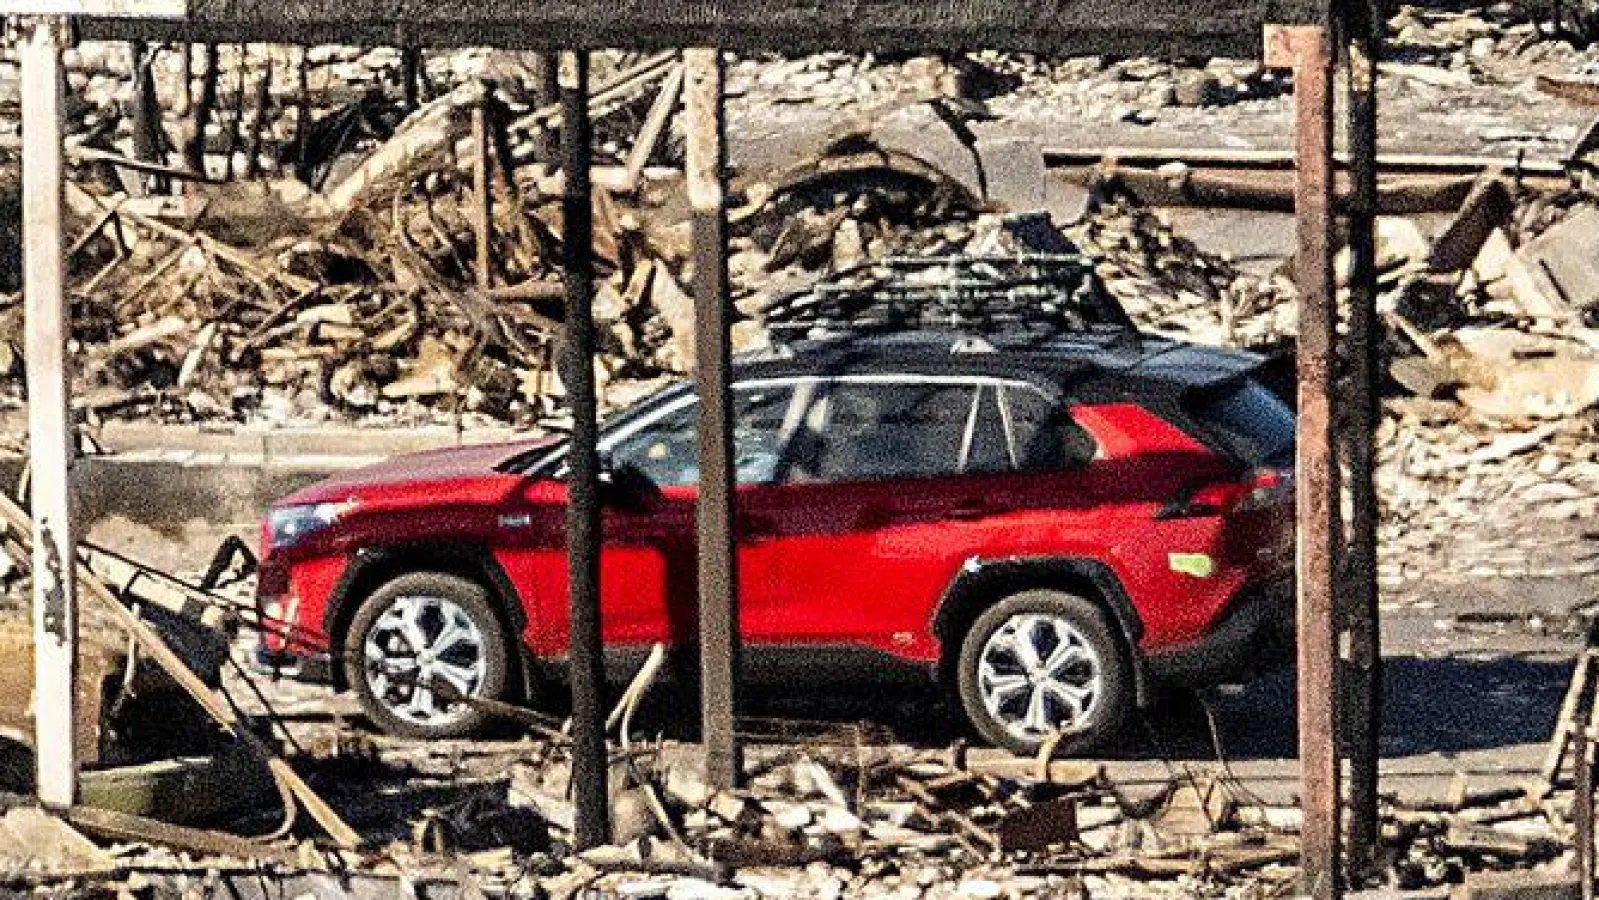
827, 811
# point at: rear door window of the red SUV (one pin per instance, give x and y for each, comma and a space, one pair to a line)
882, 431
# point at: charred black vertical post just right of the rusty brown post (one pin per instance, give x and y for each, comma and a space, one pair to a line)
1360, 576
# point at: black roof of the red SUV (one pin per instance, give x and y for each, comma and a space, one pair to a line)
1091, 362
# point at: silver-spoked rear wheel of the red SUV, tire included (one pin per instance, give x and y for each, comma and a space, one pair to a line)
1039, 661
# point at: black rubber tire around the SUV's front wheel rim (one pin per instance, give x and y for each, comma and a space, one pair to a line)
457, 720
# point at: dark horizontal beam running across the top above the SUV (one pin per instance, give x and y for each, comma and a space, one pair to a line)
1155, 28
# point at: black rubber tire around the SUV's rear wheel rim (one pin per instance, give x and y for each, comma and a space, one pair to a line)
1111, 703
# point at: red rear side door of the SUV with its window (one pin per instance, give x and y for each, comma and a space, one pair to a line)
883, 498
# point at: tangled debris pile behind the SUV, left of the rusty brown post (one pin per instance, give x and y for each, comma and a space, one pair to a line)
367, 301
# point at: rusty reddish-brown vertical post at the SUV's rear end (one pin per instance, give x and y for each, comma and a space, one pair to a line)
1317, 485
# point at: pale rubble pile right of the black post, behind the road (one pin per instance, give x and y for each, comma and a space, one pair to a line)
1489, 330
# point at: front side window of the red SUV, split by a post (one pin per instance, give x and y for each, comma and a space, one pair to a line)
668, 450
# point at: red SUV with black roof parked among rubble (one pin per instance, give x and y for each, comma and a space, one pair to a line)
1051, 527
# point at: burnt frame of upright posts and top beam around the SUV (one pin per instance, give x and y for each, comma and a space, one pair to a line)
1155, 28
